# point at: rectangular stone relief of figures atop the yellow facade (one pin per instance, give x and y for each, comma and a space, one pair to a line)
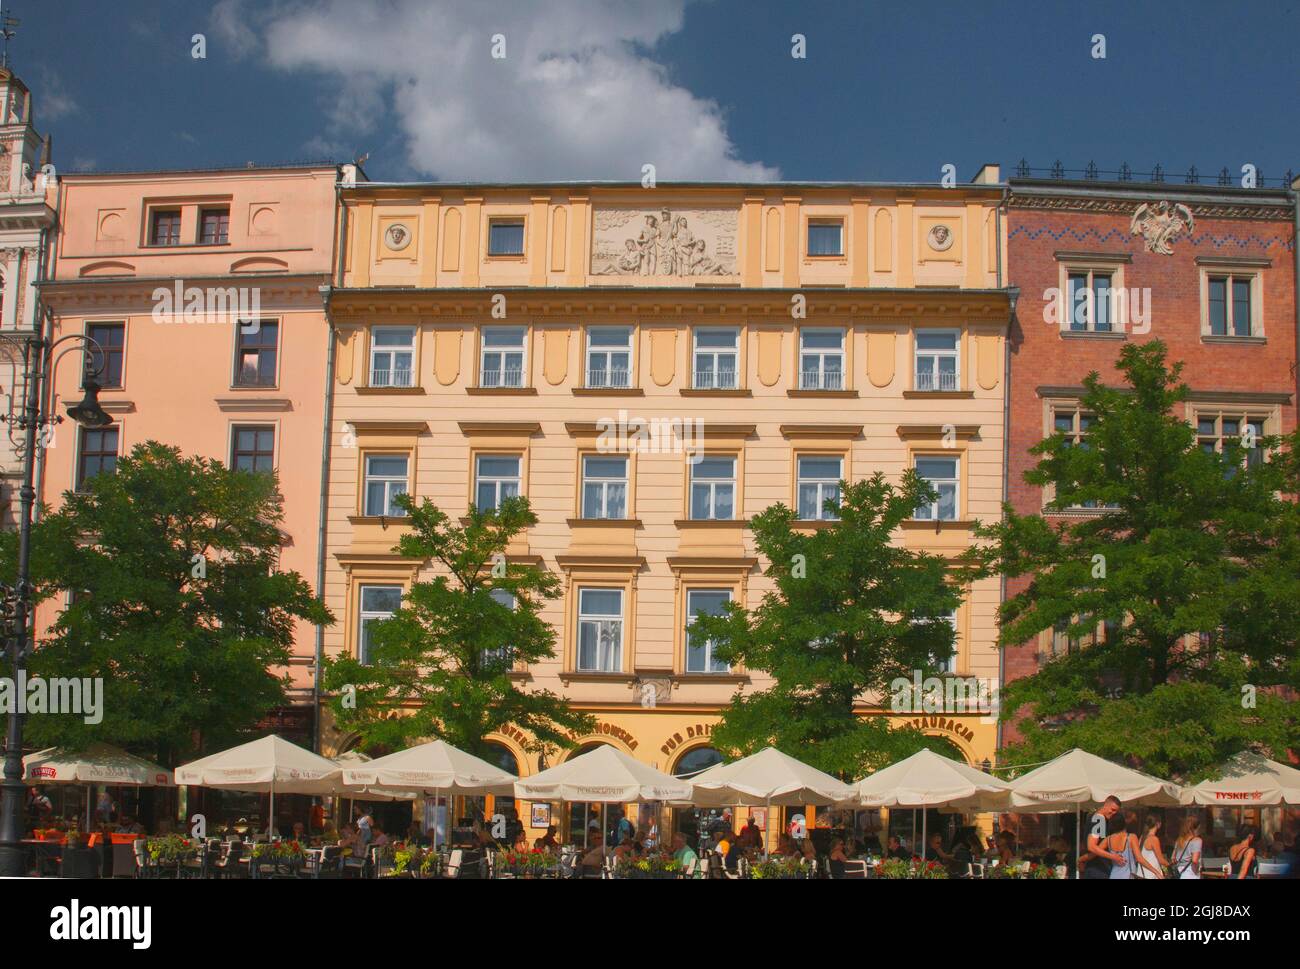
665, 245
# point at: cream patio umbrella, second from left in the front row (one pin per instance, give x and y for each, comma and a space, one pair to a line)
263, 767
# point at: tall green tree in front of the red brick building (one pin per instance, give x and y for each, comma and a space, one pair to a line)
1190, 564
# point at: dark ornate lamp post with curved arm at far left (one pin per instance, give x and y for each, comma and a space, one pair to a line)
34, 419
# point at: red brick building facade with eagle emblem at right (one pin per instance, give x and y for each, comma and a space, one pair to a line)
1210, 271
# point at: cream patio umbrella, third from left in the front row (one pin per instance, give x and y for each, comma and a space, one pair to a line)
434, 768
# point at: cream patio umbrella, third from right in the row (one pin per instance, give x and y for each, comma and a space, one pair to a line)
929, 780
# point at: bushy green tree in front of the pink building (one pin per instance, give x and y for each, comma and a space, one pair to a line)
176, 603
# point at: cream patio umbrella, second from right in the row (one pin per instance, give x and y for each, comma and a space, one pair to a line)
1078, 781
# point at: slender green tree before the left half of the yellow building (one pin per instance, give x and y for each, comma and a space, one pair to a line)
440, 668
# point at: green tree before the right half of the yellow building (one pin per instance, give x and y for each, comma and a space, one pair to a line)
852, 613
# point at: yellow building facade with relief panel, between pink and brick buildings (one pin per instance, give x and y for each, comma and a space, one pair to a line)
756, 344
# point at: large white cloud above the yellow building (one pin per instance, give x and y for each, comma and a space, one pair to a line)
579, 94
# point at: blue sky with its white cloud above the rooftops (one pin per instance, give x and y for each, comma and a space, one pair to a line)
701, 89
